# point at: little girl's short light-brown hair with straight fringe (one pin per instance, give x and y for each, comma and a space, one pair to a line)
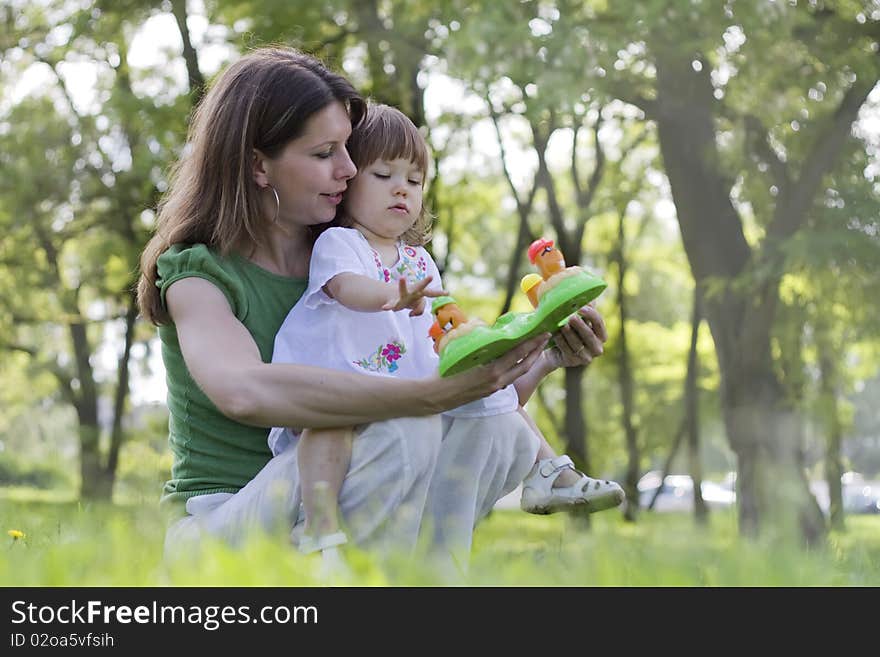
386, 133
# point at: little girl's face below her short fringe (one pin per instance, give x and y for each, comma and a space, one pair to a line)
385, 198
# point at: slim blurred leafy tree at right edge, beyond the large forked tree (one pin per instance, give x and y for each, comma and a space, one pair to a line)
829, 329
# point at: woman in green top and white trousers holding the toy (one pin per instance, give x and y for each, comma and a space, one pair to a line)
267, 163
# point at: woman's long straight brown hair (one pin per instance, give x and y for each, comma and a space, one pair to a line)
262, 101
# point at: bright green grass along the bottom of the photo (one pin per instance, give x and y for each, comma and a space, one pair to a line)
69, 544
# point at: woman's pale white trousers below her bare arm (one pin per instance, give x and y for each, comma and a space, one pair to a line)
407, 476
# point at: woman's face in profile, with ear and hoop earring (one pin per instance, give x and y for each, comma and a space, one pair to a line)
312, 171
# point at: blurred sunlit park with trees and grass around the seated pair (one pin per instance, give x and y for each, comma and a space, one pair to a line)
715, 162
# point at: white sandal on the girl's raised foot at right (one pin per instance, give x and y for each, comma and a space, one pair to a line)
540, 497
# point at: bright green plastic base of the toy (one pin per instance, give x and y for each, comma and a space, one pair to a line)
486, 343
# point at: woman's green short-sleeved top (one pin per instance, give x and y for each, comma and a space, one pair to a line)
211, 453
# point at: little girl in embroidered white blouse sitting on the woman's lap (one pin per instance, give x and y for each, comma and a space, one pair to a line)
365, 310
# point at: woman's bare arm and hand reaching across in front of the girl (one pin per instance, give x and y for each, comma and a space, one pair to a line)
225, 362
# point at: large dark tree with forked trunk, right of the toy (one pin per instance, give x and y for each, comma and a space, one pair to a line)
725, 118
